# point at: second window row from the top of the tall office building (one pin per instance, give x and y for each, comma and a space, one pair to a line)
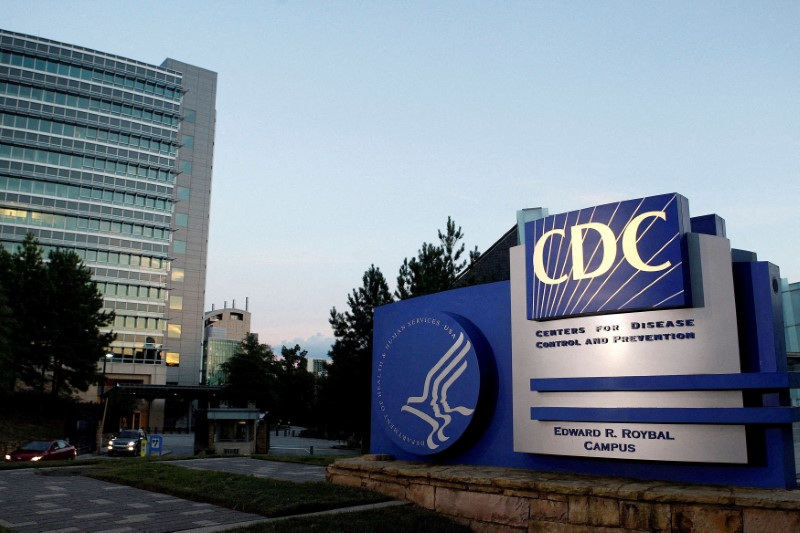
89, 74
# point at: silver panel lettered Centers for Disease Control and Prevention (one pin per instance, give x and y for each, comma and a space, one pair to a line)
698, 340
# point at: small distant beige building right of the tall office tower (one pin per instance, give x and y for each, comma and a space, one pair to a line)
224, 331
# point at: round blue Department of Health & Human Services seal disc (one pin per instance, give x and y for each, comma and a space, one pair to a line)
427, 383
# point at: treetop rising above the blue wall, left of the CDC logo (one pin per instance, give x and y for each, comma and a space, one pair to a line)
436, 267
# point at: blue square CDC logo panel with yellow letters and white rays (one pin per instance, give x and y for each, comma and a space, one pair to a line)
627, 256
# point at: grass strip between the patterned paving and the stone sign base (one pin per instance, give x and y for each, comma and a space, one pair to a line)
263, 496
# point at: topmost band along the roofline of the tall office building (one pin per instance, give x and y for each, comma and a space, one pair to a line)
90, 56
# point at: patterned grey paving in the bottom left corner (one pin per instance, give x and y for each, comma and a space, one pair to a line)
62, 502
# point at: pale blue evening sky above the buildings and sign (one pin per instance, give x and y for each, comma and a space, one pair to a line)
348, 131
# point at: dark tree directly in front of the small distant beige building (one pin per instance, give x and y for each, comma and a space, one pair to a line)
249, 375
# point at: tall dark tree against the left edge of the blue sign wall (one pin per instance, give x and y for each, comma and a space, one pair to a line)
345, 392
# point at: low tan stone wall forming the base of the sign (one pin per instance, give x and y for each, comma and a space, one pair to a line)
507, 499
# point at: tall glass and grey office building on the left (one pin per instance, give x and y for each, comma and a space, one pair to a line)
111, 158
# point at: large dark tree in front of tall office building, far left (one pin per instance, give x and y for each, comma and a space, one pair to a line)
52, 339
